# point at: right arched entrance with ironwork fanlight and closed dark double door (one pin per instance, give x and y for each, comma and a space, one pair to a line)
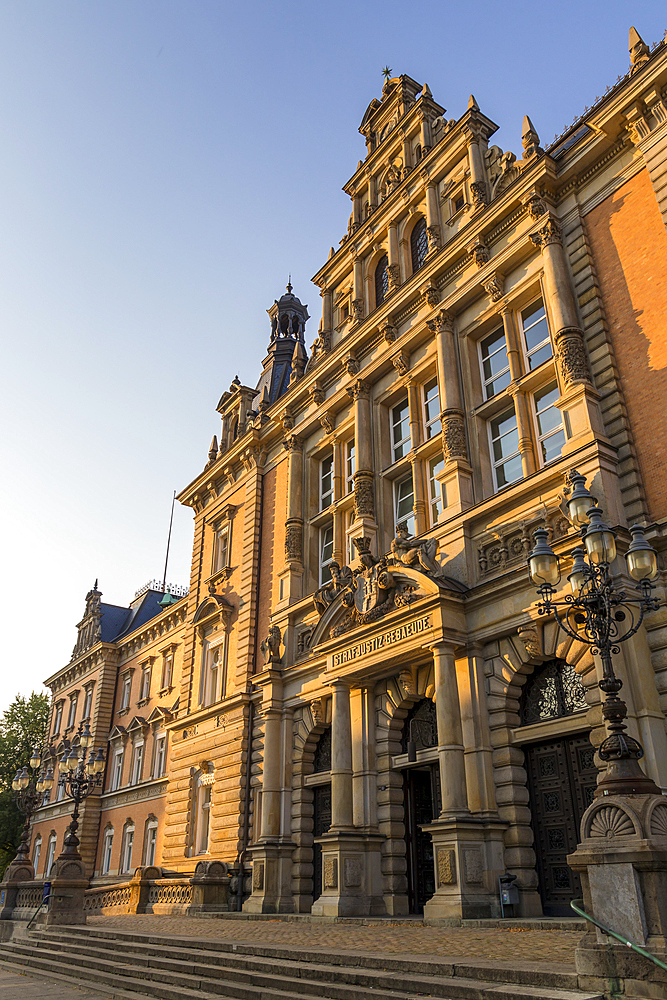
562, 778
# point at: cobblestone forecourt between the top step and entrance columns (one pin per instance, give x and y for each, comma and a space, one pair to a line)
492, 944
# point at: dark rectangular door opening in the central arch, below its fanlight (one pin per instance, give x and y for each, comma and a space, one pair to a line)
422, 794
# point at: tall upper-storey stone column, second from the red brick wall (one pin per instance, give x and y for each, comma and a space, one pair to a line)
456, 477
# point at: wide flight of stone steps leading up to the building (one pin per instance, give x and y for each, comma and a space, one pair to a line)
123, 965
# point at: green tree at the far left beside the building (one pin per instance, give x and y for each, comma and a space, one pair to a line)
22, 727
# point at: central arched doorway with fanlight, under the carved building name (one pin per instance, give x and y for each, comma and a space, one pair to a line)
422, 800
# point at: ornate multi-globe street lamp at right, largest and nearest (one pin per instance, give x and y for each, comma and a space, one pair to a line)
602, 615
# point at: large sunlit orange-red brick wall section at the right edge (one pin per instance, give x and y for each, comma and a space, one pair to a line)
629, 244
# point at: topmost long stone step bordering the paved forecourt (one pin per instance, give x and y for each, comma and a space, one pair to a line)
545, 975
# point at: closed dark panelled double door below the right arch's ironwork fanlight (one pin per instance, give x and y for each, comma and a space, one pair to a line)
562, 779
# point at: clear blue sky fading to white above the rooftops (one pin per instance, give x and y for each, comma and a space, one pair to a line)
163, 166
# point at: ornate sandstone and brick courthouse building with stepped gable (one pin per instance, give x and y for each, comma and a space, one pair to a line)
357, 699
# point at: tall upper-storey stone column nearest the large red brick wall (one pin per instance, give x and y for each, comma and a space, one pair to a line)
578, 400
